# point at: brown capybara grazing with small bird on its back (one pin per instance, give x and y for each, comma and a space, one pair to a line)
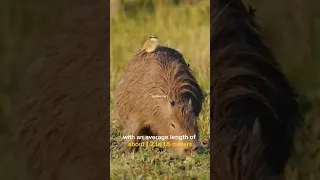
158, 95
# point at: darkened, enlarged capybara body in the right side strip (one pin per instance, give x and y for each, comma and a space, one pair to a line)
247, 84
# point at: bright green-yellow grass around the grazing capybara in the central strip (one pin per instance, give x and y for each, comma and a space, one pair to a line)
185, 28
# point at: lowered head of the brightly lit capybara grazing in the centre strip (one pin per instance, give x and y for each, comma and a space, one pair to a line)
180, 122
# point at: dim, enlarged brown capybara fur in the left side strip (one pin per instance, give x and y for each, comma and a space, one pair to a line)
61, 106
